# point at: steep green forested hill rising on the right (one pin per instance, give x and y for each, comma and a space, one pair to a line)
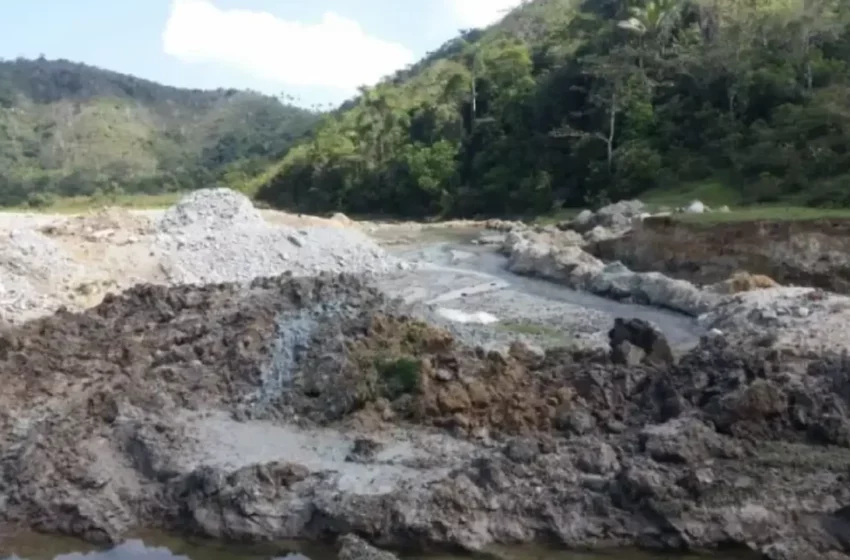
572, 103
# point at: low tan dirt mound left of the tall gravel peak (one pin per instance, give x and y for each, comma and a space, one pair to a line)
102, 224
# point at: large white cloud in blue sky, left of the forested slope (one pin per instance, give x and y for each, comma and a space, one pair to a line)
335, 52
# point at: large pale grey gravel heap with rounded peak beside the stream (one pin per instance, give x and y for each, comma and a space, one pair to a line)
216, 235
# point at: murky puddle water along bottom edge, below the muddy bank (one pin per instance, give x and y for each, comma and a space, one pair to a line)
160, 547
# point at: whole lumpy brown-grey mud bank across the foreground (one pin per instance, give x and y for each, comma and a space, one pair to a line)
308, 408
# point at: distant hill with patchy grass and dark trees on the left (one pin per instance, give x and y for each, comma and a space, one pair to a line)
70, 129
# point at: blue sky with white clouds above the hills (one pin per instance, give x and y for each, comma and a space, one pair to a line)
318, 51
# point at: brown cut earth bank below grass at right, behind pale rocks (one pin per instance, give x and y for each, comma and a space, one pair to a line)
794, 252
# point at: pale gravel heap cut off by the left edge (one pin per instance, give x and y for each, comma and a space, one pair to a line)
33, 272
